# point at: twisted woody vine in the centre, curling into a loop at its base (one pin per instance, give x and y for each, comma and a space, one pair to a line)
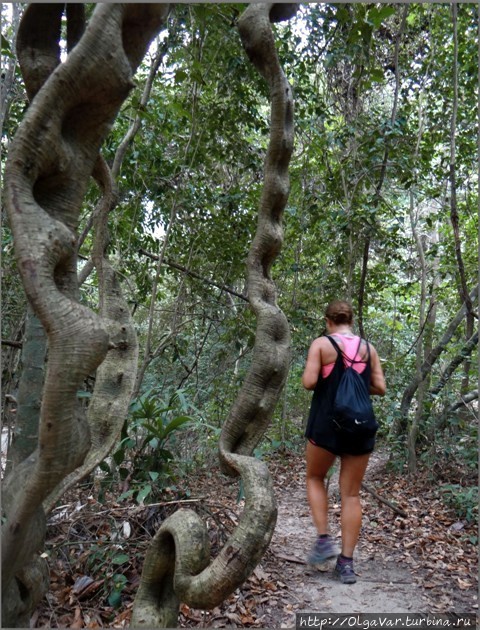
177, 566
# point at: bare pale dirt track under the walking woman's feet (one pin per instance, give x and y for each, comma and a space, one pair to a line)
383, 585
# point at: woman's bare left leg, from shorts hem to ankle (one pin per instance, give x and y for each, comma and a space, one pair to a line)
319, 462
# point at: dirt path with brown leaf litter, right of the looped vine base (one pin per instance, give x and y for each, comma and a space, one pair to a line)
416, 557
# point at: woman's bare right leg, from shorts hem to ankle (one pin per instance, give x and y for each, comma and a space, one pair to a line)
352, 471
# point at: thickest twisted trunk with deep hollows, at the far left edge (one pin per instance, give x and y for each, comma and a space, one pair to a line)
50, 162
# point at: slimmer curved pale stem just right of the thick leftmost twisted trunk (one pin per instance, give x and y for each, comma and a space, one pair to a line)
116, 377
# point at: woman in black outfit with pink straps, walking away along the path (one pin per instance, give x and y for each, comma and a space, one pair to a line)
323, 371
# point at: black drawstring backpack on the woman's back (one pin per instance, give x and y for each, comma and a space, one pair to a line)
352, 408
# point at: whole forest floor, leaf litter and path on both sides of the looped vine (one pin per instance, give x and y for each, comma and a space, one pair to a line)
414, 555
